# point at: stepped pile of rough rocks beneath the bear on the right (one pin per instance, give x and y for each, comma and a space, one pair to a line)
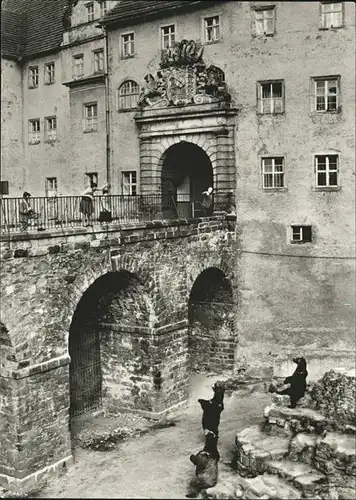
307, 452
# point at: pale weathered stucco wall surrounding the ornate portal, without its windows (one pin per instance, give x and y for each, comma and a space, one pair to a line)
290, 300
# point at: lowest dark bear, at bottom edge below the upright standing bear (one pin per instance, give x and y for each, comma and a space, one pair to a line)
206, 466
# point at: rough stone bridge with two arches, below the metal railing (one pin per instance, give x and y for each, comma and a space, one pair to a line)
114, 317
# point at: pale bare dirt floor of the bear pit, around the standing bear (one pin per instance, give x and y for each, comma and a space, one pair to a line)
157, 465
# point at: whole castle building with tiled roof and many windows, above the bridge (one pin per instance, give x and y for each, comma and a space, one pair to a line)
254, 99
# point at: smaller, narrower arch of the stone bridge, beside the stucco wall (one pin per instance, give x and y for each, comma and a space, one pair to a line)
211, 322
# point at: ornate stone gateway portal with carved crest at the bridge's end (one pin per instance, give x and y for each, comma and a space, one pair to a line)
187, 102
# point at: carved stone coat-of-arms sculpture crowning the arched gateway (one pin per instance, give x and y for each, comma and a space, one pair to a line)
184, 79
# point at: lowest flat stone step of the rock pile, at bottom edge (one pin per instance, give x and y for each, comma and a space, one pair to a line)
302, 476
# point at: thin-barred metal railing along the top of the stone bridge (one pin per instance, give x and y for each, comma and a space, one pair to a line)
65, 211
